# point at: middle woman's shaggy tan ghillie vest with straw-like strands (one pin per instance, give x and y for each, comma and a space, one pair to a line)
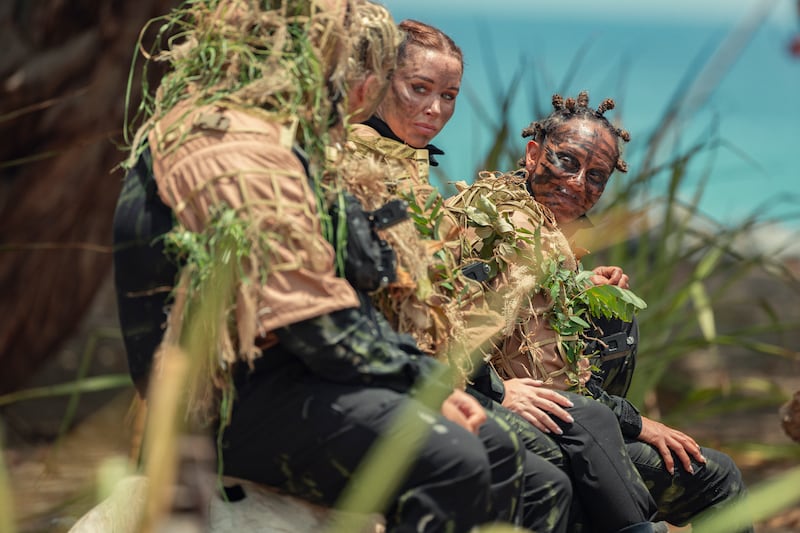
431, 299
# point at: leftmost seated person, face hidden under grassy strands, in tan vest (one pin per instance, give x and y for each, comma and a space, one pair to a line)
226, 249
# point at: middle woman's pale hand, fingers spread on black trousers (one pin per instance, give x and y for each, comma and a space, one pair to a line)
535, 403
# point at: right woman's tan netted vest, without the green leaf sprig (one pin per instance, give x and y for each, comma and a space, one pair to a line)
529, 347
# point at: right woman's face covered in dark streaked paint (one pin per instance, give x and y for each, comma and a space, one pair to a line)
569, 172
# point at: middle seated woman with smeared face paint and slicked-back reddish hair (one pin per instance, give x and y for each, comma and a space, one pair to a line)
420, 101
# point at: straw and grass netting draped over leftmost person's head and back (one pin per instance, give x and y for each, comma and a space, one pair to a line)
291, 60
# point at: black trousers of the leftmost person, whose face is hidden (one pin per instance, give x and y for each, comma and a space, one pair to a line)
304, 435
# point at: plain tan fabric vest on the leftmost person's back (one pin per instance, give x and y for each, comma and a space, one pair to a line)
217, 155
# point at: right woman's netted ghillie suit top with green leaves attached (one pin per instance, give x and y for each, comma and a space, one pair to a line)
534, 278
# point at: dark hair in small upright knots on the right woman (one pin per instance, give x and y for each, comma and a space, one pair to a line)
564, 110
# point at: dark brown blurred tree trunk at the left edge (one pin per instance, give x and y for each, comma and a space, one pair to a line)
64, 68
